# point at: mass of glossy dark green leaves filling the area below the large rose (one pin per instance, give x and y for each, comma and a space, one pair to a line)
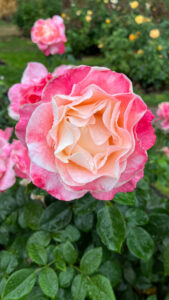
88, 249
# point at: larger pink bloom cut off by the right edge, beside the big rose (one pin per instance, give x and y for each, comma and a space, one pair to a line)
163, 114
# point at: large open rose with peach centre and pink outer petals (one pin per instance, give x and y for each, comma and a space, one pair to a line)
90, 132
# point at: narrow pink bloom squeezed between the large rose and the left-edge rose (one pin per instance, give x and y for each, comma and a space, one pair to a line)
21, 160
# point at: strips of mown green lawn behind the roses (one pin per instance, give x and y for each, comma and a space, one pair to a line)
16, 52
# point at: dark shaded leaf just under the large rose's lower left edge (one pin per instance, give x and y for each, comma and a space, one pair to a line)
56, 216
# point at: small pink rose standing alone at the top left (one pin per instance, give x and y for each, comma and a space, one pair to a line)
49, 35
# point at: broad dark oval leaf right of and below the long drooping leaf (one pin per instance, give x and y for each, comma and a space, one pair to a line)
140, 243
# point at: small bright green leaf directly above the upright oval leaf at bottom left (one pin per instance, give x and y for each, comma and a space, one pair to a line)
37, 253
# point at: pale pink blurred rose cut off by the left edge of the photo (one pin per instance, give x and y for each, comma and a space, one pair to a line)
7, 174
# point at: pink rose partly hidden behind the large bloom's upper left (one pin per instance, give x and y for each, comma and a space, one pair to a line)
34, 79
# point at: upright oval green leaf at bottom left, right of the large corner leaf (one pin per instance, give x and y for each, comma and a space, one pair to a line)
48, 282
